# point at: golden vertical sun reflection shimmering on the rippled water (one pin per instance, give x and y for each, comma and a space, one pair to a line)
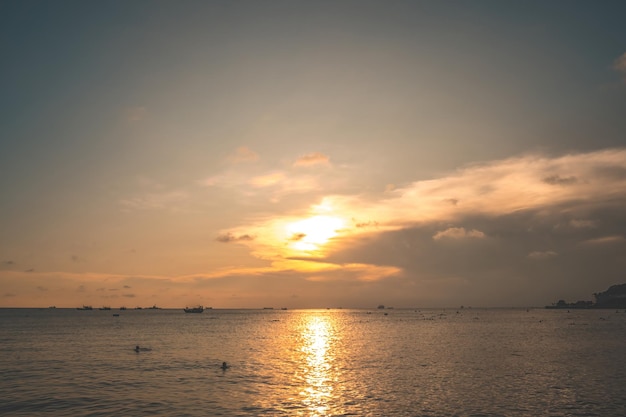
317, 393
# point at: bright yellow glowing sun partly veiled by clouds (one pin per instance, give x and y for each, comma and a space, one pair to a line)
310, 234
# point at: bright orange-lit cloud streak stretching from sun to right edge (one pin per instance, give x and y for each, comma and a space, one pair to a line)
498, 188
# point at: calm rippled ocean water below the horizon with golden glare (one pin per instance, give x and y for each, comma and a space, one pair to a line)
470, 362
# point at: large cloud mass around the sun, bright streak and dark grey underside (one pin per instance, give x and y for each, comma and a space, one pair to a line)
520, 203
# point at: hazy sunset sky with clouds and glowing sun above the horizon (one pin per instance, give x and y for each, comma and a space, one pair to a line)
311, 154
